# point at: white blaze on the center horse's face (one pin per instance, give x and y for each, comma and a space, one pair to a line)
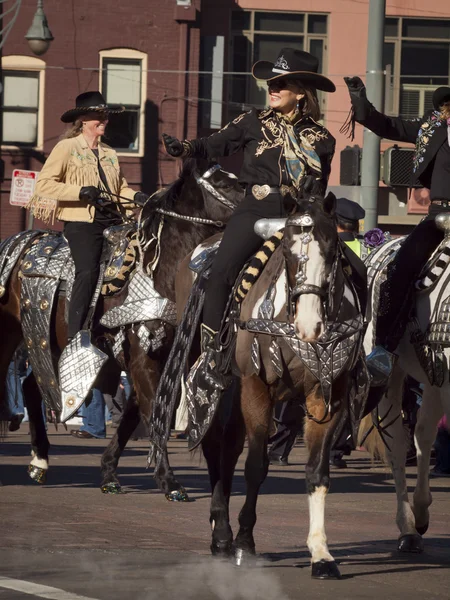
308, 312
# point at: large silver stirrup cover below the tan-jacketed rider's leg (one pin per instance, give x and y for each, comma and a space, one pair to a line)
79, 365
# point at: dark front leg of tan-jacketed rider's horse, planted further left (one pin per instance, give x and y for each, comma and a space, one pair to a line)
110, 458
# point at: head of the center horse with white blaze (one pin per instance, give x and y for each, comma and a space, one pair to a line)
309, 245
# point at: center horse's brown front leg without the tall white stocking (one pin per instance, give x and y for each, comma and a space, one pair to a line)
256, 407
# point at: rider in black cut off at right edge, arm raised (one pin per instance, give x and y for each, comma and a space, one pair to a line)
431, 165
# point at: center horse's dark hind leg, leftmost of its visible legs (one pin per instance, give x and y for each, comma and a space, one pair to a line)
222, 447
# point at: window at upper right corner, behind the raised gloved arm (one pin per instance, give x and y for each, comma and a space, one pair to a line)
417, 55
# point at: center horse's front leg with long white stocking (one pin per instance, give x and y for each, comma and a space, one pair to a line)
318, 440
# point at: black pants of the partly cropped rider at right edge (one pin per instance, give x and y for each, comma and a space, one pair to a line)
396, 293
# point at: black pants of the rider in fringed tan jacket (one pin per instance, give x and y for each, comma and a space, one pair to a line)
86, 244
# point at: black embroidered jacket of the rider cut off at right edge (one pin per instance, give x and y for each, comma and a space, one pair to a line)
428, 133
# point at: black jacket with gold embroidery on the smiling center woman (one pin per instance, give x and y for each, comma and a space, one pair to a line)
259, 134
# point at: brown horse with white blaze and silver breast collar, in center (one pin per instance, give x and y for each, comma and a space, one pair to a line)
302, 309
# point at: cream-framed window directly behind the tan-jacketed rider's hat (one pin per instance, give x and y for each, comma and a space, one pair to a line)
123, 82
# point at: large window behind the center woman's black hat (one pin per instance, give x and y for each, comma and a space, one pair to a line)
260, 35
